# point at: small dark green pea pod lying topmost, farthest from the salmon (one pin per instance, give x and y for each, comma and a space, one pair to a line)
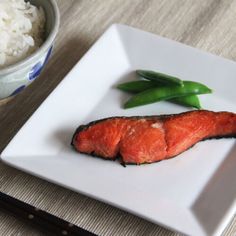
159, 77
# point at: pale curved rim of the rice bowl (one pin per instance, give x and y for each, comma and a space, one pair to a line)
46, 44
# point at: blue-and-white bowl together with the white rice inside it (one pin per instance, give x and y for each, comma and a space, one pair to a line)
27, 36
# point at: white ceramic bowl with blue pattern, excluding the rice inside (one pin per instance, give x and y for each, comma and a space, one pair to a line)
14, 78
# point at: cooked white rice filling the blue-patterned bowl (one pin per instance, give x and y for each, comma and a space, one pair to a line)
21, 30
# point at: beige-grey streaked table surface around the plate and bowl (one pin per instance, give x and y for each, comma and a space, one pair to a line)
206, 24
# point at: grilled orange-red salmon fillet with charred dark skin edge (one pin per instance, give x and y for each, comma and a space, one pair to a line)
149, 139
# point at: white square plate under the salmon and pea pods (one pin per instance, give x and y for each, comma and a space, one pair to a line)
193, 193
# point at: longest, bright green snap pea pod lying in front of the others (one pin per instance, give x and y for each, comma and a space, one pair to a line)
165, 93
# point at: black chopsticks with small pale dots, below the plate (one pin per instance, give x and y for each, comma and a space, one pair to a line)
46, 221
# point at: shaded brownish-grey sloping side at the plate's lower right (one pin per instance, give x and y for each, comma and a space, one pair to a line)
214, 204
